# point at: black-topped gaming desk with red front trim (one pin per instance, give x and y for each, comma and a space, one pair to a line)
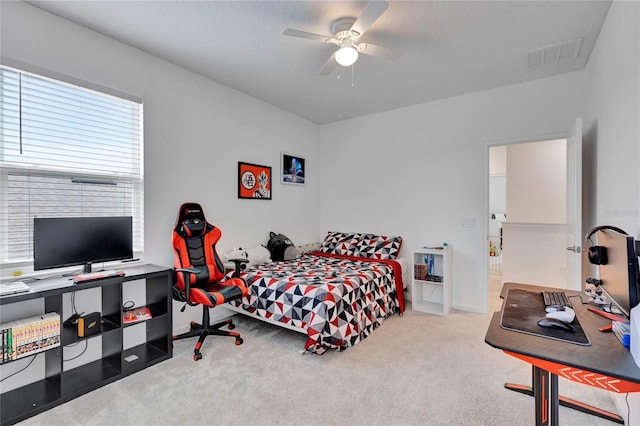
605, 364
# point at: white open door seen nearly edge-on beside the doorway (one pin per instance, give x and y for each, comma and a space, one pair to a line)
574, 206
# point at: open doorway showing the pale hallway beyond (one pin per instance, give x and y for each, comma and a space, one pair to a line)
527, 213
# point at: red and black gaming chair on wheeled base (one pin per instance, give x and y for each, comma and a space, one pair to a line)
200, 273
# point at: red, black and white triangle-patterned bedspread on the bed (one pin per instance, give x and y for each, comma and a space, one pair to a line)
339, 301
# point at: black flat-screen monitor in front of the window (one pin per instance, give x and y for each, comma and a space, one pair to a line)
70, 241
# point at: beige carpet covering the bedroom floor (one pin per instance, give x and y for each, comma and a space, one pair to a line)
417, 369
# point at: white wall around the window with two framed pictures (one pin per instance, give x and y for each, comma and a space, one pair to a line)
195, 132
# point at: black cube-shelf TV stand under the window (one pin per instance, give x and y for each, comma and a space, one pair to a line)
62, 384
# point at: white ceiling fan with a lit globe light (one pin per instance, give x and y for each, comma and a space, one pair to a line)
346, 34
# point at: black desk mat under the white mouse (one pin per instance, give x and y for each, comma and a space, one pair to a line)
521, 312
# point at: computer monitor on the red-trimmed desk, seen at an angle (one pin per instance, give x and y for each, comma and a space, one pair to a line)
620, 274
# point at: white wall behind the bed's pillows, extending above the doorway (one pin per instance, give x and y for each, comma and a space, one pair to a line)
421, 172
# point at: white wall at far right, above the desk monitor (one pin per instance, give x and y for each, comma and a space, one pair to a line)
612, 136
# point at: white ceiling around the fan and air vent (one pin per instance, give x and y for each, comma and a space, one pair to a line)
448, 48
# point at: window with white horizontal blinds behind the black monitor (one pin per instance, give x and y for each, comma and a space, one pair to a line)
65, 151
